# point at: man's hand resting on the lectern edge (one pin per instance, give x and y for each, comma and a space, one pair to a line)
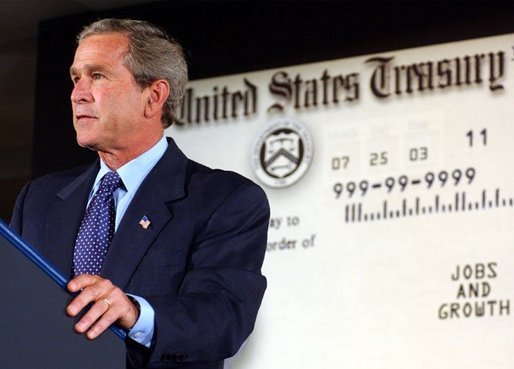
109, 305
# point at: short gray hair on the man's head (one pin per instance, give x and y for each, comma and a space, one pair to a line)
152, 55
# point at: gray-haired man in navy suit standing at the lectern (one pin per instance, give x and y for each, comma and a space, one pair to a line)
181, 272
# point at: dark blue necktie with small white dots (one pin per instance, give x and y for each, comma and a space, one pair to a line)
97, 228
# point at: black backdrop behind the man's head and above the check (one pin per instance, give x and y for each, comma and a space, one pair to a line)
233, 37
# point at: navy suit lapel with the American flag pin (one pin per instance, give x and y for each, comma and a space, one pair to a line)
164, 184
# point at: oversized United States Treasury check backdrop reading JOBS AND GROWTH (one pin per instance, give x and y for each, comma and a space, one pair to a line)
395, 248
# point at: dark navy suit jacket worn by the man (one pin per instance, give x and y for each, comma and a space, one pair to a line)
198, 263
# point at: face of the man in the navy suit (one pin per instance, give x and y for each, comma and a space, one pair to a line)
108, 106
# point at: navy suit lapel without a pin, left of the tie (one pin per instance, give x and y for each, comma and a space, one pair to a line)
64, 217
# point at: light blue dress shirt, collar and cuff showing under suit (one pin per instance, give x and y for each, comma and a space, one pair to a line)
132, 174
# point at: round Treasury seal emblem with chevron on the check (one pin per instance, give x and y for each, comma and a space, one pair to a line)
282, 153
